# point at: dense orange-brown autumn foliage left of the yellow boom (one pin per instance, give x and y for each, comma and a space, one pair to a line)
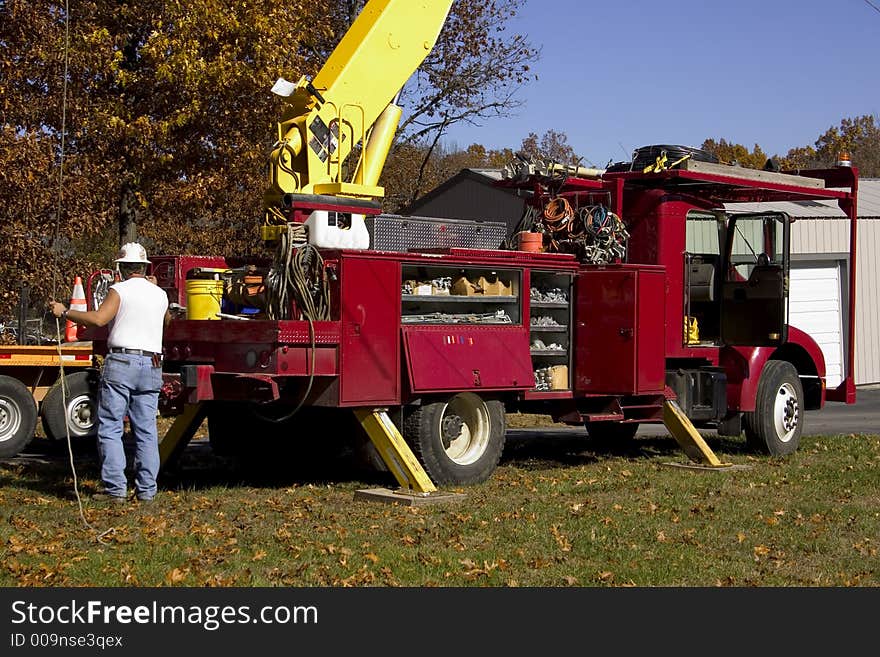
168, 119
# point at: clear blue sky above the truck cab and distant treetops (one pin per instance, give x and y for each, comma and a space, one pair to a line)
617, 75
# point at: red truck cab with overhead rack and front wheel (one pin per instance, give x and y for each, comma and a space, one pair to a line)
731, 358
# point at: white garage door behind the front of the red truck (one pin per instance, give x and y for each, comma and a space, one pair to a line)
814, 307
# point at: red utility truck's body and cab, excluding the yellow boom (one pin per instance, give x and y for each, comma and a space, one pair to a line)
450, 338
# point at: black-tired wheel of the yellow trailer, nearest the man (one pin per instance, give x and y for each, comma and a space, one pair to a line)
80, 414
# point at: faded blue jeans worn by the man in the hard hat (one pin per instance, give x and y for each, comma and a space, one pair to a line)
129, 386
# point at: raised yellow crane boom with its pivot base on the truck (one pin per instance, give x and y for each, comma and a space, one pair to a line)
350, 102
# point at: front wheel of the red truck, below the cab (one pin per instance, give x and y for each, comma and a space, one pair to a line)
777, 422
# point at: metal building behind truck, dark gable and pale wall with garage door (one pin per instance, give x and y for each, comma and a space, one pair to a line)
819, 248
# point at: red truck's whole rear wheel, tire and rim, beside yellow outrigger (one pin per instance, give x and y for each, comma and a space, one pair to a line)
458, 441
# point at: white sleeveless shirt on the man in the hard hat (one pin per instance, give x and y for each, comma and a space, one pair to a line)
140, 320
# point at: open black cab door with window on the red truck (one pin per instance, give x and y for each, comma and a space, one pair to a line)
754, 291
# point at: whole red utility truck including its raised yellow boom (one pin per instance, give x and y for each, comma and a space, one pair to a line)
647, 289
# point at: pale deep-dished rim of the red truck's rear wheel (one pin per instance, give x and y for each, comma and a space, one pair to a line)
465, 428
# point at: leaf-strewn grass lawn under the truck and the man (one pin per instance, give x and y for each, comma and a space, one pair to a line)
556, 513
